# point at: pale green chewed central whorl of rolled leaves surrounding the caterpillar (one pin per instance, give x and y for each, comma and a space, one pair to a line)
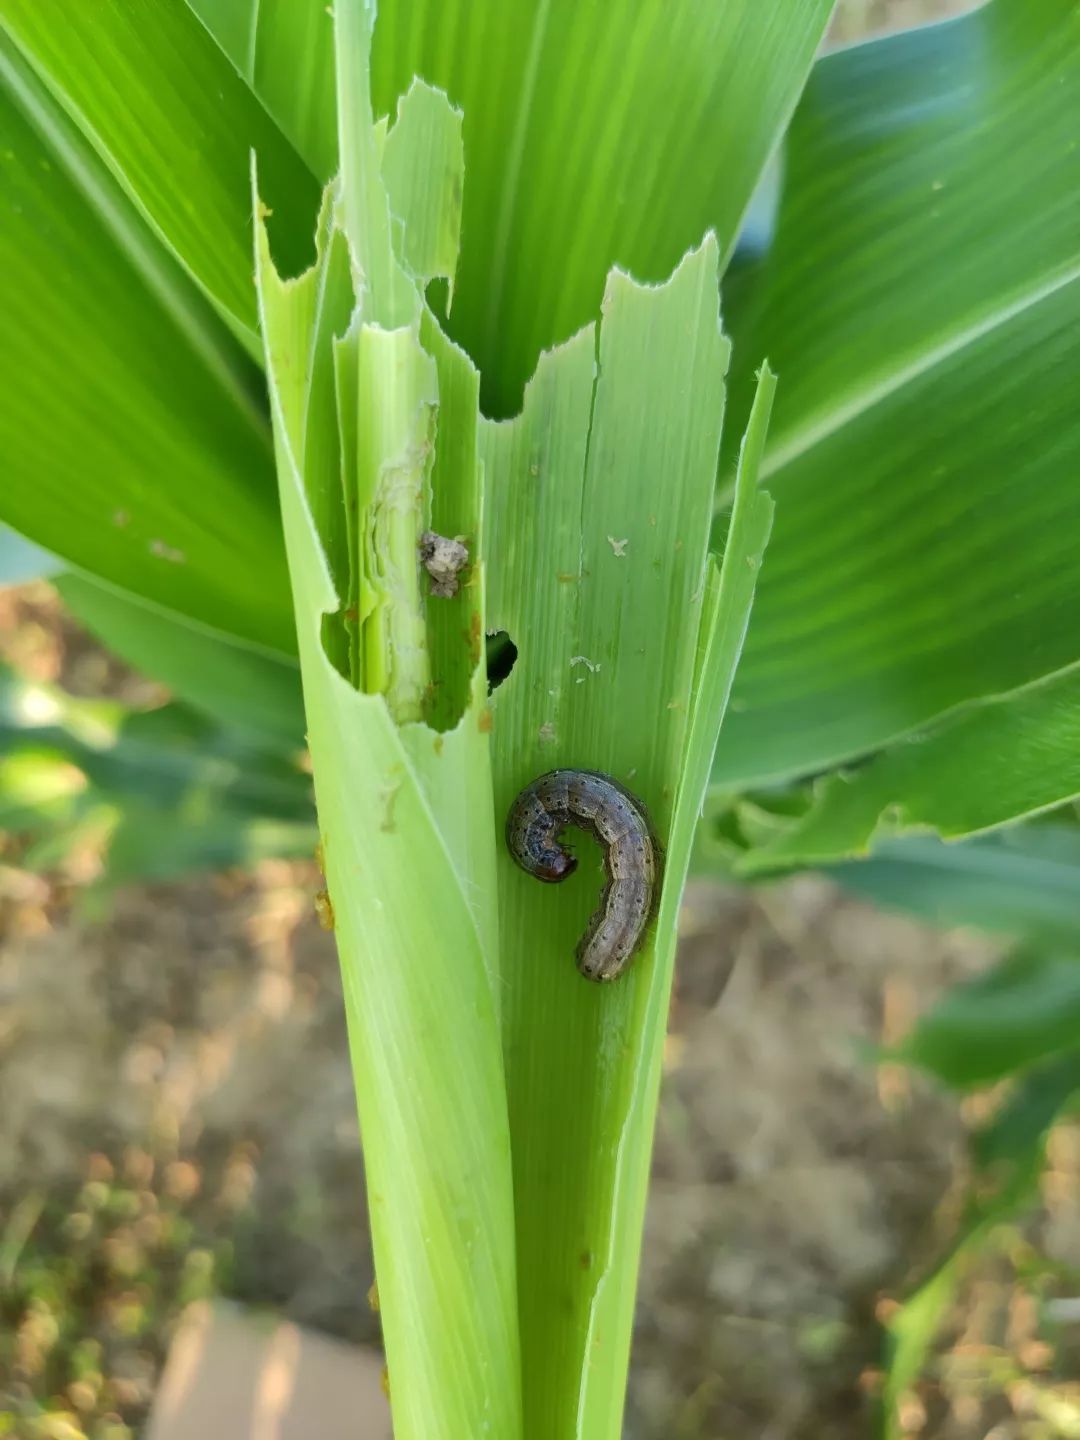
610, 597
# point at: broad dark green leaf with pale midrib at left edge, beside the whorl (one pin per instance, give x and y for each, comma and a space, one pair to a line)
133, 437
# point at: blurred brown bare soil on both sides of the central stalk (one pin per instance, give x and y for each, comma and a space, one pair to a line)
188, 1050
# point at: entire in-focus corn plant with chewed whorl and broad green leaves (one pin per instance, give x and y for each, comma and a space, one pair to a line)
379, 359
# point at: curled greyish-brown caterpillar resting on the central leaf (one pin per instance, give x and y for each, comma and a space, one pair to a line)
631, 858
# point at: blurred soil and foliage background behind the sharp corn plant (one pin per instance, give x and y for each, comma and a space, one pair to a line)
889, 1226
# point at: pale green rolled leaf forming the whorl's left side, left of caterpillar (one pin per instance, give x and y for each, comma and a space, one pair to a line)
404, 809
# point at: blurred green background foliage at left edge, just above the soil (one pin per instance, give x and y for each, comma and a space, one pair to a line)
162, 793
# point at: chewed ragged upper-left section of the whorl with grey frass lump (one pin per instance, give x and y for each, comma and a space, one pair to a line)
384, 417
